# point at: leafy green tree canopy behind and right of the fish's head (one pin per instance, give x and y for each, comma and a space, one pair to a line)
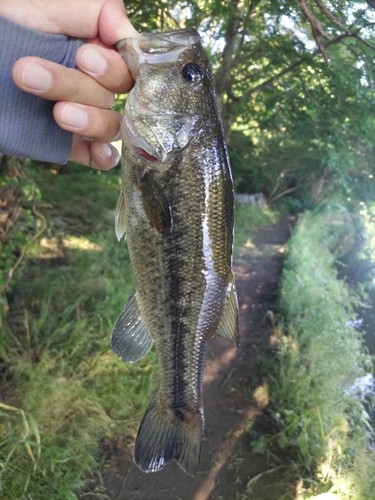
296, 123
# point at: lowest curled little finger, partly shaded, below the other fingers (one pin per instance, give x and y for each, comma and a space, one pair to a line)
94, 154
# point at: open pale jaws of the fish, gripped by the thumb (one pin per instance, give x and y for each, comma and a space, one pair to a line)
155, 49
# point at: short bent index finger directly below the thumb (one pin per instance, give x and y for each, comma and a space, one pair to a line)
106, 66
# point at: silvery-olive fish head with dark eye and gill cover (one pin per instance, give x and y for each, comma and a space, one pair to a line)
172, 77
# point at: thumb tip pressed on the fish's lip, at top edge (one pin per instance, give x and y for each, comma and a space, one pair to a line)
114, 24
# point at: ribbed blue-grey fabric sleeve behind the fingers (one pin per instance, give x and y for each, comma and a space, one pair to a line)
27, 126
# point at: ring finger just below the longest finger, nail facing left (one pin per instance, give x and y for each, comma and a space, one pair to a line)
99, 124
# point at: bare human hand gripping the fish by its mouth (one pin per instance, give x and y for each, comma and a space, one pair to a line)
85, 94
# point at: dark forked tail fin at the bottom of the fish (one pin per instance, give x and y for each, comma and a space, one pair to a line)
161, 439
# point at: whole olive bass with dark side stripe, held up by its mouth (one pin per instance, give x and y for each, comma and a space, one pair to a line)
176, 211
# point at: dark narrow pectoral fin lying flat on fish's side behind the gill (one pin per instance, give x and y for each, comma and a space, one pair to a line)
155, 204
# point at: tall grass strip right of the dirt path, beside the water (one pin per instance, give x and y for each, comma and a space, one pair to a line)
316, 419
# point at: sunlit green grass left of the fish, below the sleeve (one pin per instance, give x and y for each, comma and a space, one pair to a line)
67, 388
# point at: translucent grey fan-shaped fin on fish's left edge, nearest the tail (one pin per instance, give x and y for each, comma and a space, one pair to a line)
130, 338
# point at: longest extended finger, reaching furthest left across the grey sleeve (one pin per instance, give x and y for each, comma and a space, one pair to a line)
55, 82
